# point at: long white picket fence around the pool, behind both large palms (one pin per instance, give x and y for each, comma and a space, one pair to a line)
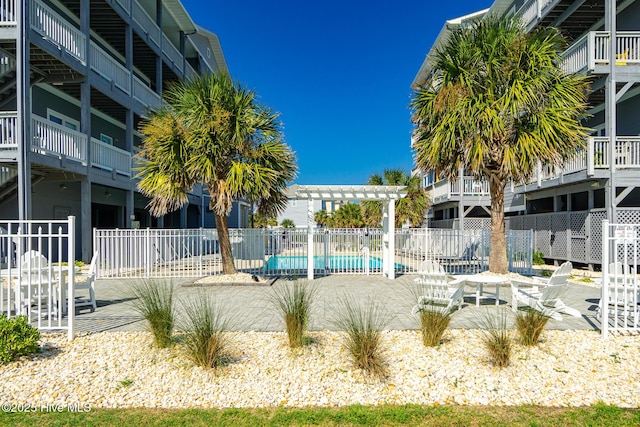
155, 253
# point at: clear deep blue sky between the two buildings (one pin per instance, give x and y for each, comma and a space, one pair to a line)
338, 71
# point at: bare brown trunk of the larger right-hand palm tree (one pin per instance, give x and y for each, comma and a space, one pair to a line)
498, 256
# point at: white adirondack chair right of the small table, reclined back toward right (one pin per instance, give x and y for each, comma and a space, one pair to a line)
544, 296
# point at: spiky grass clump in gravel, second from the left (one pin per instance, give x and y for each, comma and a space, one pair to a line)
204, 329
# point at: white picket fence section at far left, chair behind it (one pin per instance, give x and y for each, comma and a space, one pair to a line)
37, 271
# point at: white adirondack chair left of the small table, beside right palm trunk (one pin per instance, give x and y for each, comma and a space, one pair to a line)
436, 288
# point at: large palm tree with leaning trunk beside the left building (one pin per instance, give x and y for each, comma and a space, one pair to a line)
214, 132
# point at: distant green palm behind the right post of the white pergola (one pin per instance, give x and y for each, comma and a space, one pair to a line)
413, 207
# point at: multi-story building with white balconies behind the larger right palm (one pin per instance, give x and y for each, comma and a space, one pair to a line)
566, 207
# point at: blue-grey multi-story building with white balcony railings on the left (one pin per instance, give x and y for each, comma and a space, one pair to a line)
76, 79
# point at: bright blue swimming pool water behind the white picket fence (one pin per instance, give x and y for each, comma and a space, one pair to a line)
335, 262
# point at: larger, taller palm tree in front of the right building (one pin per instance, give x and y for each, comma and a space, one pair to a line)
497, 104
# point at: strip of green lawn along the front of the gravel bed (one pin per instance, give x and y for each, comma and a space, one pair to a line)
600, 415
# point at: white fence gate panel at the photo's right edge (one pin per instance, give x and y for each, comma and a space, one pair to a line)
619, 308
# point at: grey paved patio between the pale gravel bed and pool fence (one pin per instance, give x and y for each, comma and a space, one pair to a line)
251, 309
